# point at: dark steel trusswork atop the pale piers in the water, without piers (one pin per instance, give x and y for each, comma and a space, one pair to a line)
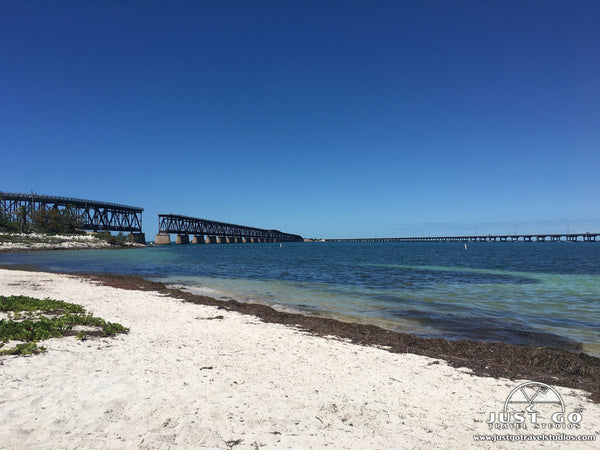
183, 225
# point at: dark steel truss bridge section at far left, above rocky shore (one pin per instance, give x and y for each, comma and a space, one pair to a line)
92, 215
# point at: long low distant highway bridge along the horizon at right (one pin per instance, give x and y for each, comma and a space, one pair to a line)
570, 237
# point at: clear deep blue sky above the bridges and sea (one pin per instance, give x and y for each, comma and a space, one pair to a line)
325, 118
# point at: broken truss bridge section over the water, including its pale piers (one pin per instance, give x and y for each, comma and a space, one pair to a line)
210, 231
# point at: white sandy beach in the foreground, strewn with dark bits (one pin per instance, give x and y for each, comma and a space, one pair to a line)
181, 380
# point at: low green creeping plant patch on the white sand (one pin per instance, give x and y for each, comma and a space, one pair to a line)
29, 320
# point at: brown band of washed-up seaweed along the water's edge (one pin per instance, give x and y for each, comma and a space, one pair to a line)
550, 365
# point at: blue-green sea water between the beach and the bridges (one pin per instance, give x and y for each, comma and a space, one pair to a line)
545, 294
